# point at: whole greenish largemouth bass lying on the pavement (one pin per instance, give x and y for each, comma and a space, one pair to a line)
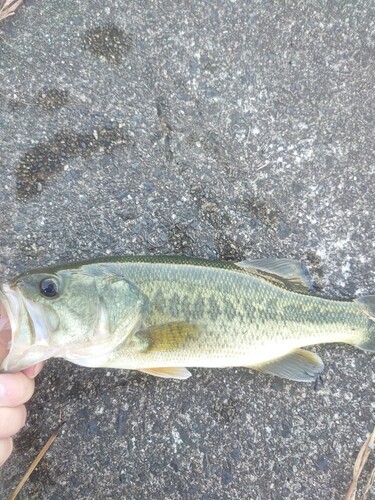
162, 315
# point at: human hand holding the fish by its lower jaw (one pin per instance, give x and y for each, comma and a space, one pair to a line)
15, 390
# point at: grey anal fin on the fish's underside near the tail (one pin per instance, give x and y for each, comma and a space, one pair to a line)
298, 365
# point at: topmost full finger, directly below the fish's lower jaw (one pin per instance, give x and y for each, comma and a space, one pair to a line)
15, 389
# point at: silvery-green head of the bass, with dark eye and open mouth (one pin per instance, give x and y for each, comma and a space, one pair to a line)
70, 313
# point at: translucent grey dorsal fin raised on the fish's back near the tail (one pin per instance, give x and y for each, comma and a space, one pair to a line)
288, 272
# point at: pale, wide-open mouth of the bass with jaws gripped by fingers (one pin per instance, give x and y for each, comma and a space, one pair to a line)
25, 330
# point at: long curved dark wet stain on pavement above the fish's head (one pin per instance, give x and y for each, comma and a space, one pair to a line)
47, 159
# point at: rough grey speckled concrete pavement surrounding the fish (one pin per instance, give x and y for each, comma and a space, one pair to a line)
219, 129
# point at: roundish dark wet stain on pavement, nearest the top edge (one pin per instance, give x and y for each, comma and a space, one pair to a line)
107, 42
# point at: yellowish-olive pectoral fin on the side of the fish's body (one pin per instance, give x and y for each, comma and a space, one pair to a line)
167, 337
